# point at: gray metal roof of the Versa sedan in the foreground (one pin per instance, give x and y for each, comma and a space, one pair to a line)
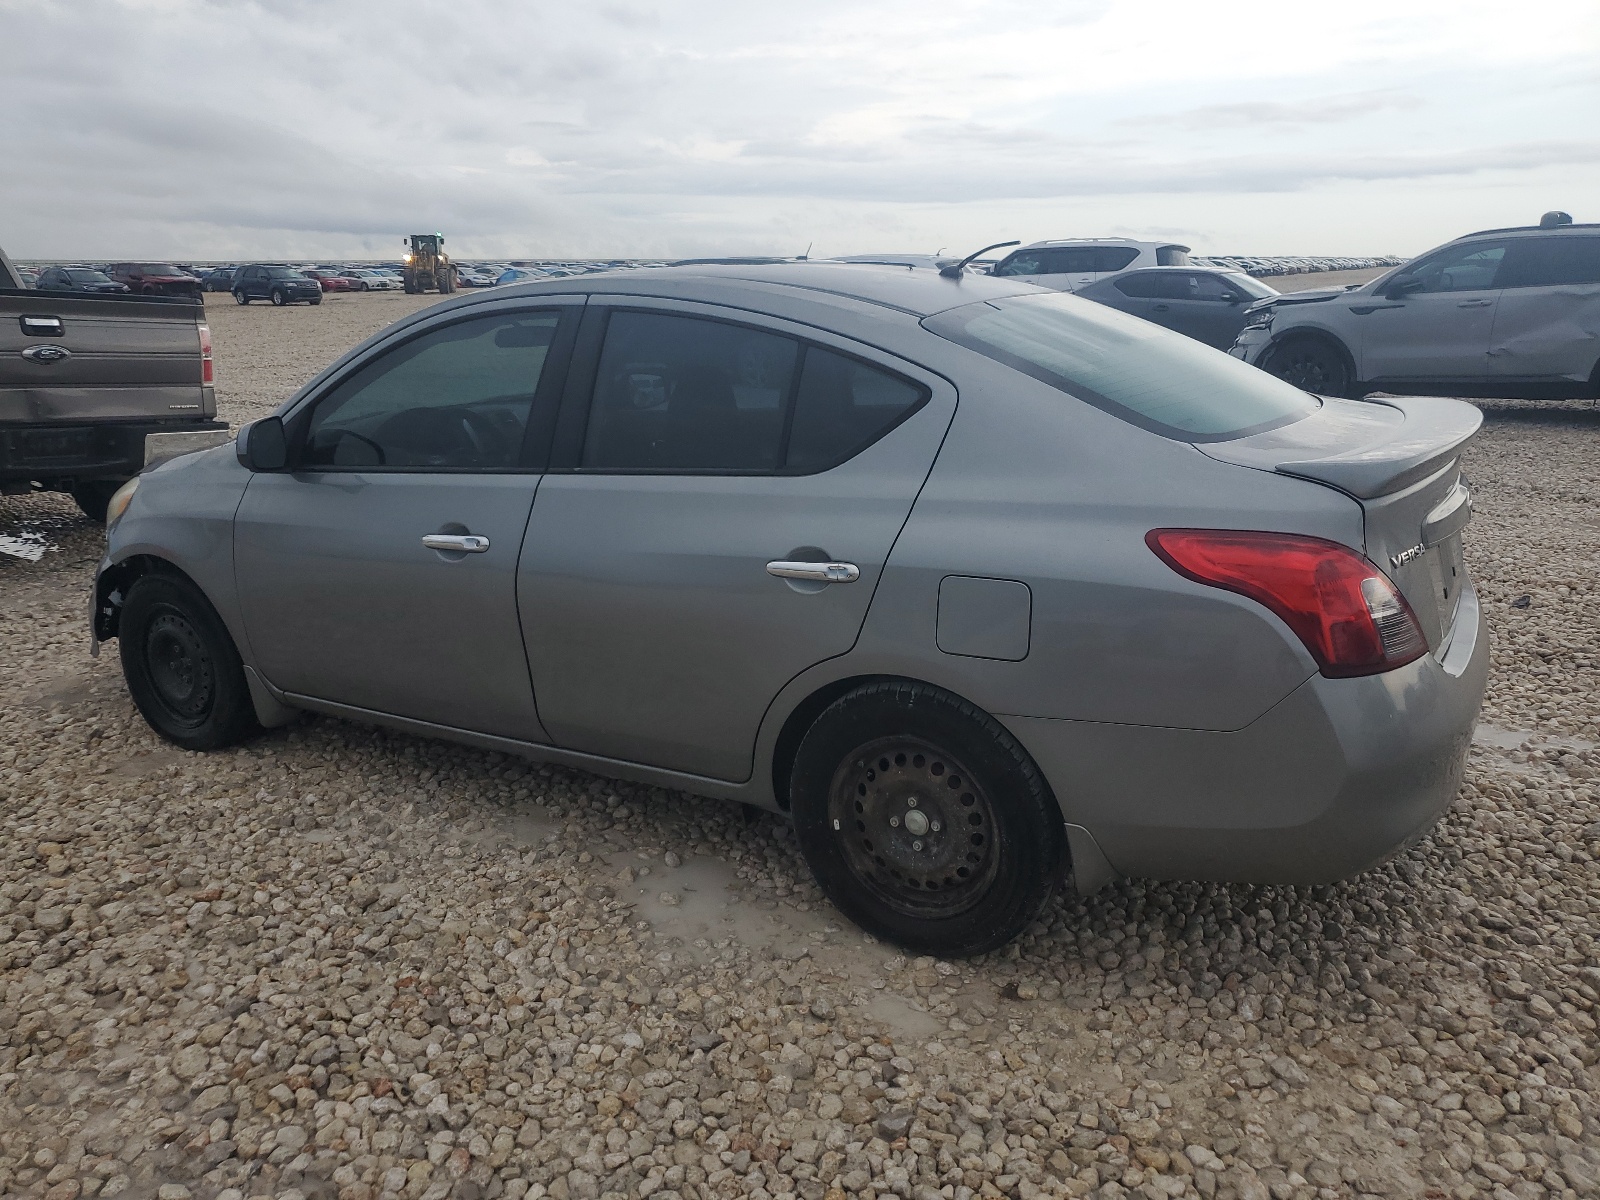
916, 292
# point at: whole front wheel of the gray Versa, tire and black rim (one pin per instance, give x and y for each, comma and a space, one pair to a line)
182, 666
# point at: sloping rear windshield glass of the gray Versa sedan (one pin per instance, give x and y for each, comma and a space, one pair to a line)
1135, 370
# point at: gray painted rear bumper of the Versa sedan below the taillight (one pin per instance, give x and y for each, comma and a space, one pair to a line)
1337, 778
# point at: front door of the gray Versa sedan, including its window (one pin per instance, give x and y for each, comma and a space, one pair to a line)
380, 570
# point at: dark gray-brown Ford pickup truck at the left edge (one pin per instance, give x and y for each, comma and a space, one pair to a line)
86, 382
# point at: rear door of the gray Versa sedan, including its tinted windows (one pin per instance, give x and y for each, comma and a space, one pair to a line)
700, 452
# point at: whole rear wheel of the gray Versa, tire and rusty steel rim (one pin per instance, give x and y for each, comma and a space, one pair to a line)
926, 822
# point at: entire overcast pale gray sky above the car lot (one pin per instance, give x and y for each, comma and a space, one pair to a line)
311, 129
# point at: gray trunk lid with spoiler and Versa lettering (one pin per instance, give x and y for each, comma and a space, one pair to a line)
1401, 458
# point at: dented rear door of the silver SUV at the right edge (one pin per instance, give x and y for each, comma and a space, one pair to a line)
1548, 319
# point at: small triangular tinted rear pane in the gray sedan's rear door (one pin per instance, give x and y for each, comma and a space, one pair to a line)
842, 407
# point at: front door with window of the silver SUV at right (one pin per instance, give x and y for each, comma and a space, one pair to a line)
1441, 330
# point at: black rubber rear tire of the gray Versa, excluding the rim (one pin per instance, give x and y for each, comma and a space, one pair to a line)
1030, 836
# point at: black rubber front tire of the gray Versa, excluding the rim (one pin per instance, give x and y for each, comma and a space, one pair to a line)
231, 714
